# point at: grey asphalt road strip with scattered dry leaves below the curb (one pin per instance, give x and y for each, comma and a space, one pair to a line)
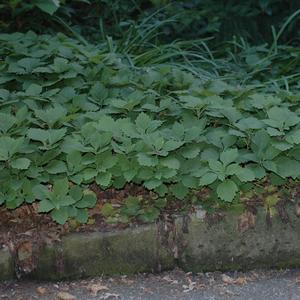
254, 285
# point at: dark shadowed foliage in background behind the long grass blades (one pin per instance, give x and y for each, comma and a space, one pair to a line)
190, 19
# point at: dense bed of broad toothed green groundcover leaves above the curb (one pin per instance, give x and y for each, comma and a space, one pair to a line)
73, 114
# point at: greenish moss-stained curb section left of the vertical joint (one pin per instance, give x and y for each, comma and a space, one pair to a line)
122, 252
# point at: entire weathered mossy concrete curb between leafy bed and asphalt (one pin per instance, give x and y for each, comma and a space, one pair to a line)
191, 243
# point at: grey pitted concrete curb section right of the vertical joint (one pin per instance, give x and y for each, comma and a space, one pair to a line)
222, 246
